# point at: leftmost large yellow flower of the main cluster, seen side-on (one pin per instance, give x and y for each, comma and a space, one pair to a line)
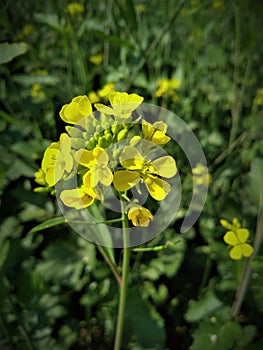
57, 161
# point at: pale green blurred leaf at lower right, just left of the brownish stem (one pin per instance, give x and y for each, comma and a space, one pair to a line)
203, 307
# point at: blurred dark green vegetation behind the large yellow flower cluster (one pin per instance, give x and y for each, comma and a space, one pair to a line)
56, 290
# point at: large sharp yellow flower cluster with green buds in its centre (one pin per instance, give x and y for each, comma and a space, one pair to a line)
92, 150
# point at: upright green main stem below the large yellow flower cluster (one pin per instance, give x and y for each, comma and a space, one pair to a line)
124, 284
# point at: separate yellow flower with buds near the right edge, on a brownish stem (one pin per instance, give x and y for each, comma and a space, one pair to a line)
237, 238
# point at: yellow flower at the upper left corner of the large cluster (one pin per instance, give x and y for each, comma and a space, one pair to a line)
76, 110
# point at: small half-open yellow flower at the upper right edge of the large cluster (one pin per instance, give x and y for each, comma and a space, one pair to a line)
155, 132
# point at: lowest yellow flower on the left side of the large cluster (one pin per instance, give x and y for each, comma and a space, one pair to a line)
77, 198
